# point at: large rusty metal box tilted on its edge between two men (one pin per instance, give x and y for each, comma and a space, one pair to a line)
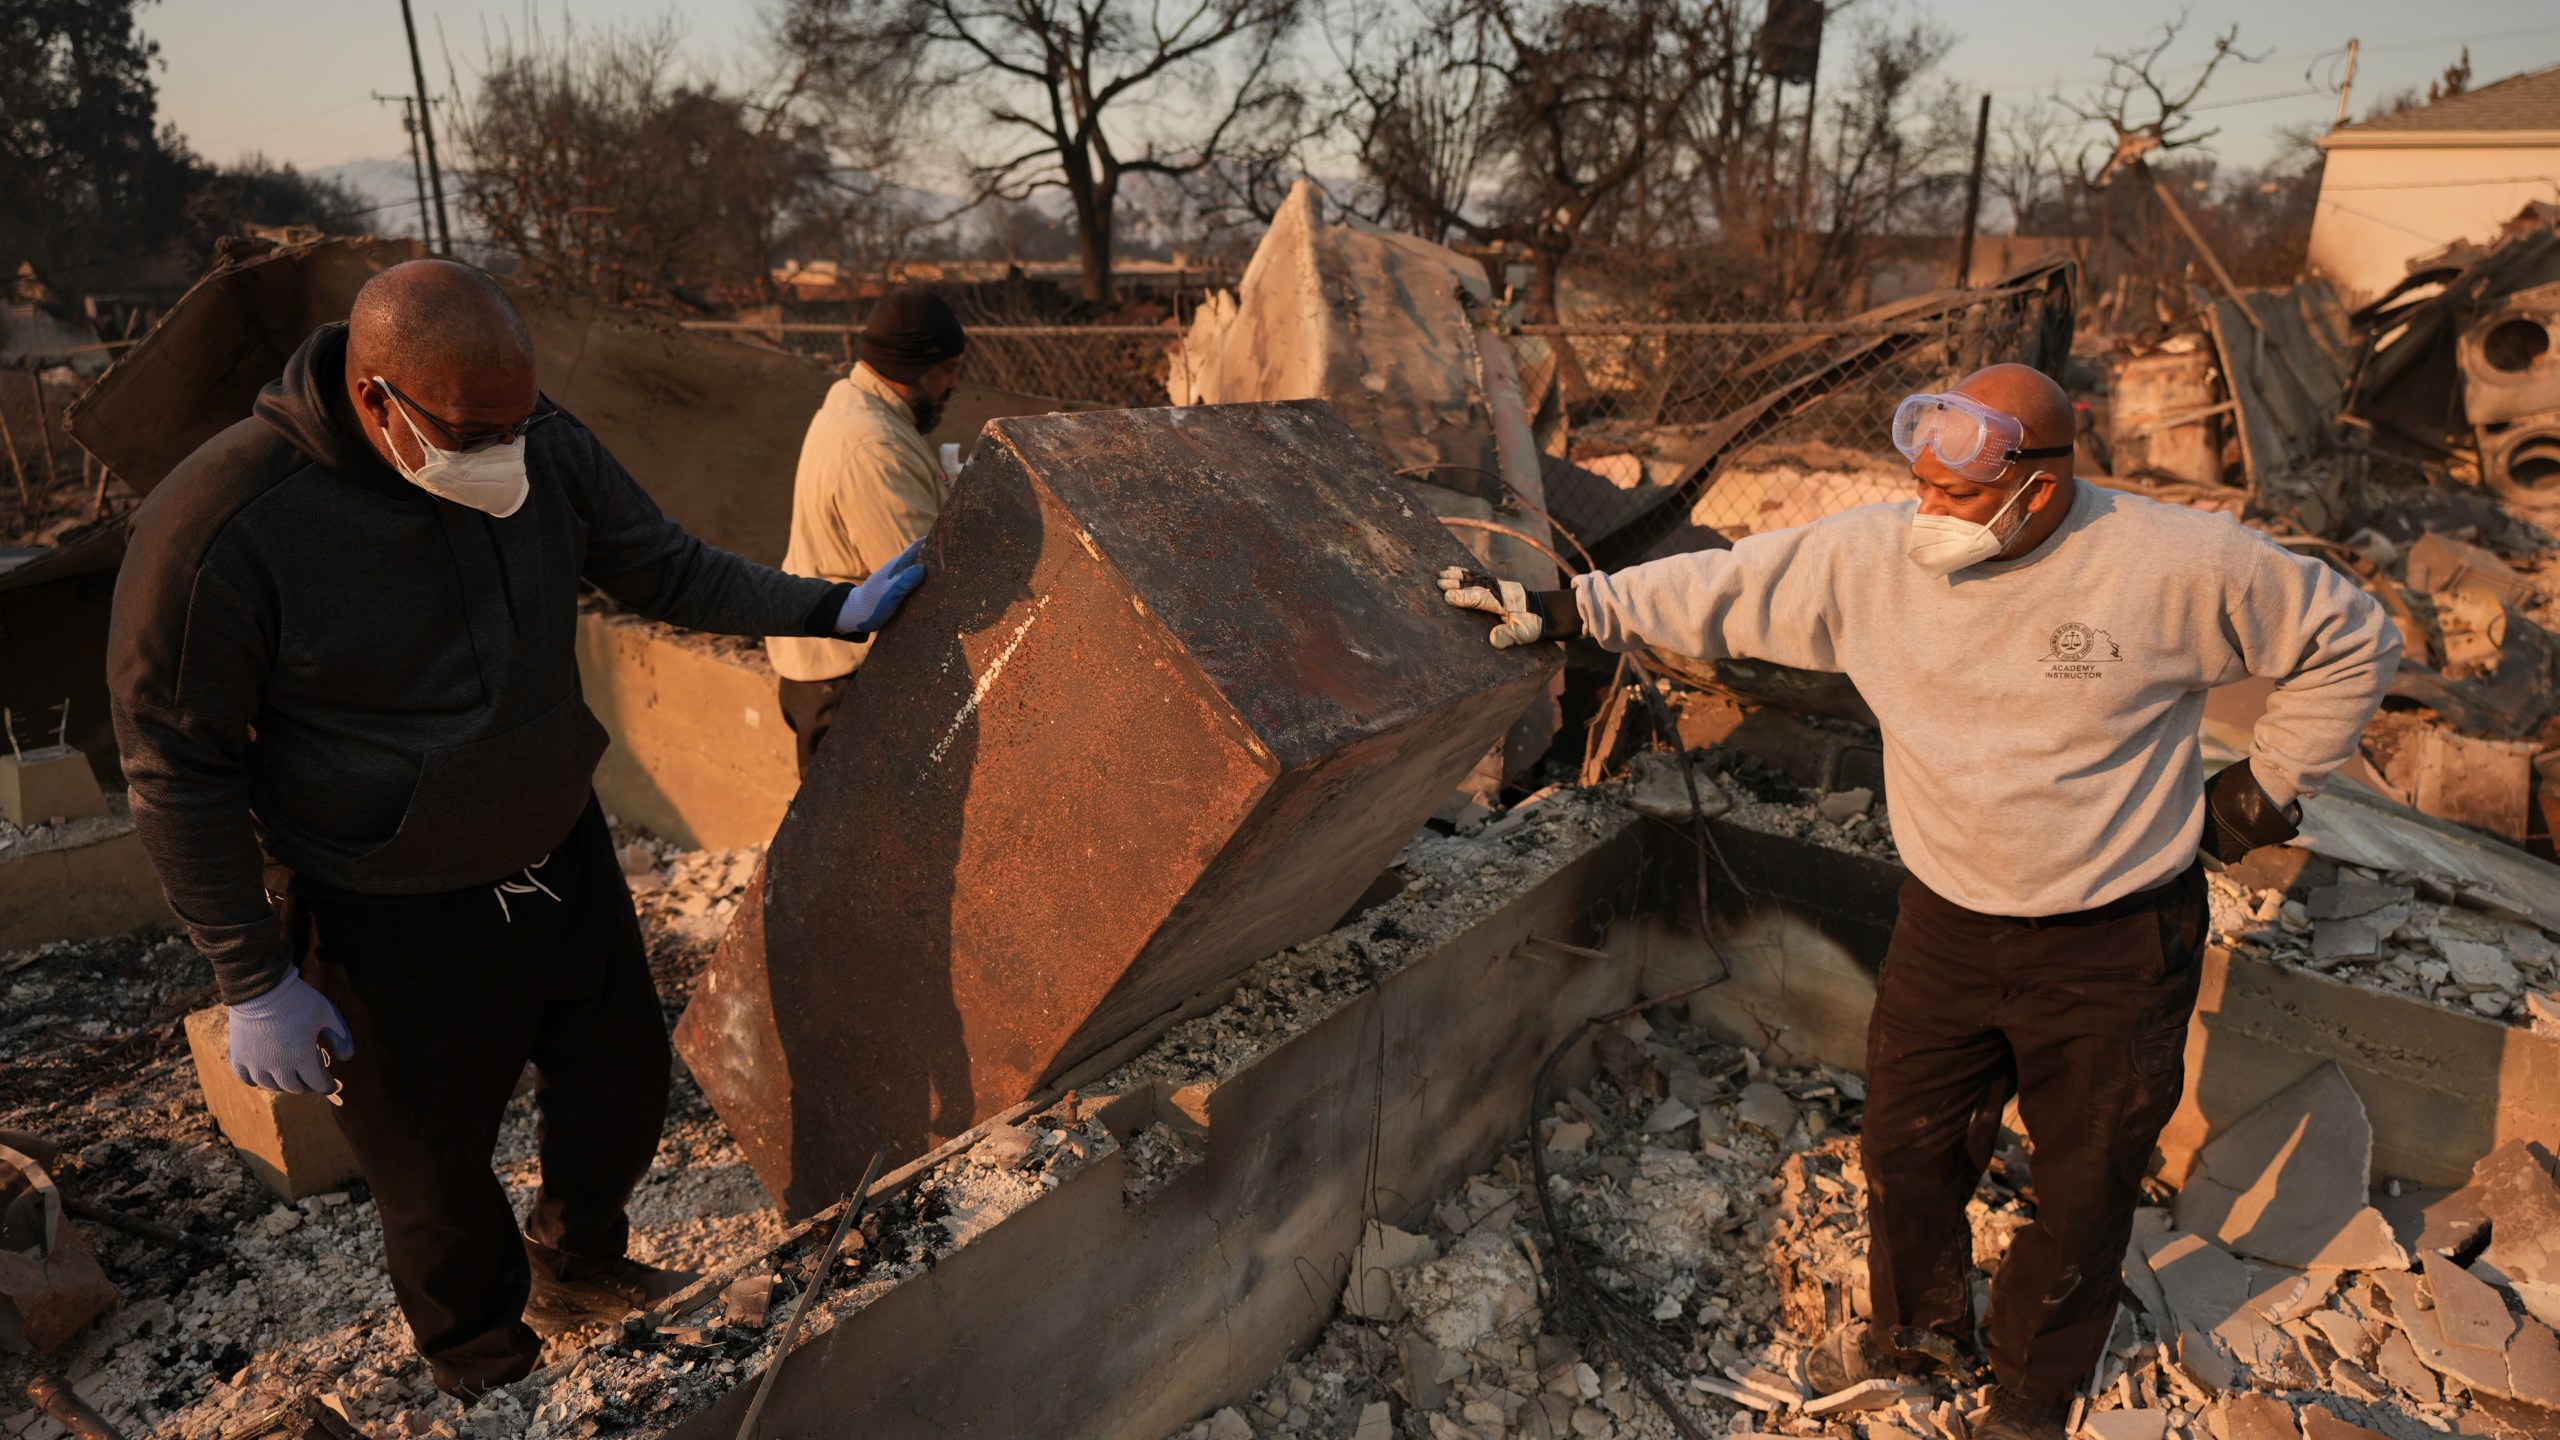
1176, 691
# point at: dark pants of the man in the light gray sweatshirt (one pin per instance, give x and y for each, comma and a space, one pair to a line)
2085, 1021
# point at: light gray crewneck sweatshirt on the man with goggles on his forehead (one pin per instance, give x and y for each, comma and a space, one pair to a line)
2042, 716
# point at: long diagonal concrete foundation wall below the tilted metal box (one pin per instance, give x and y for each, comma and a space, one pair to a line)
1202, 1288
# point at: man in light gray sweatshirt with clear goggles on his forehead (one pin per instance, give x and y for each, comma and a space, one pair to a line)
2036, 655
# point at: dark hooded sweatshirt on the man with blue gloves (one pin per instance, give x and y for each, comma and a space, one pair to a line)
380, 688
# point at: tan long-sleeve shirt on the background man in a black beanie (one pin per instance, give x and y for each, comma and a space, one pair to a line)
867, 491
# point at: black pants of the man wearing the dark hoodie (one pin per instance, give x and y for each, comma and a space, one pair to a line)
449, 998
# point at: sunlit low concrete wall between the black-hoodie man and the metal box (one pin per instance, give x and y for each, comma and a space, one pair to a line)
700, 752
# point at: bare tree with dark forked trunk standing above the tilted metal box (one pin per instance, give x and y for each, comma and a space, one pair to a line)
1082, 96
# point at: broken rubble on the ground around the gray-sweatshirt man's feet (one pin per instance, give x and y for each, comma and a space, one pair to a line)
1727, 1206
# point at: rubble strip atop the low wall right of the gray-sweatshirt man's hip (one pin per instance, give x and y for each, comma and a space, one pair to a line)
2403, 934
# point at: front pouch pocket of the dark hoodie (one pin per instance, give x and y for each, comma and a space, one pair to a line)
488, 808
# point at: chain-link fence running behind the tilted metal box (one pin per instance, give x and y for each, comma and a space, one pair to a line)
1668, 429
